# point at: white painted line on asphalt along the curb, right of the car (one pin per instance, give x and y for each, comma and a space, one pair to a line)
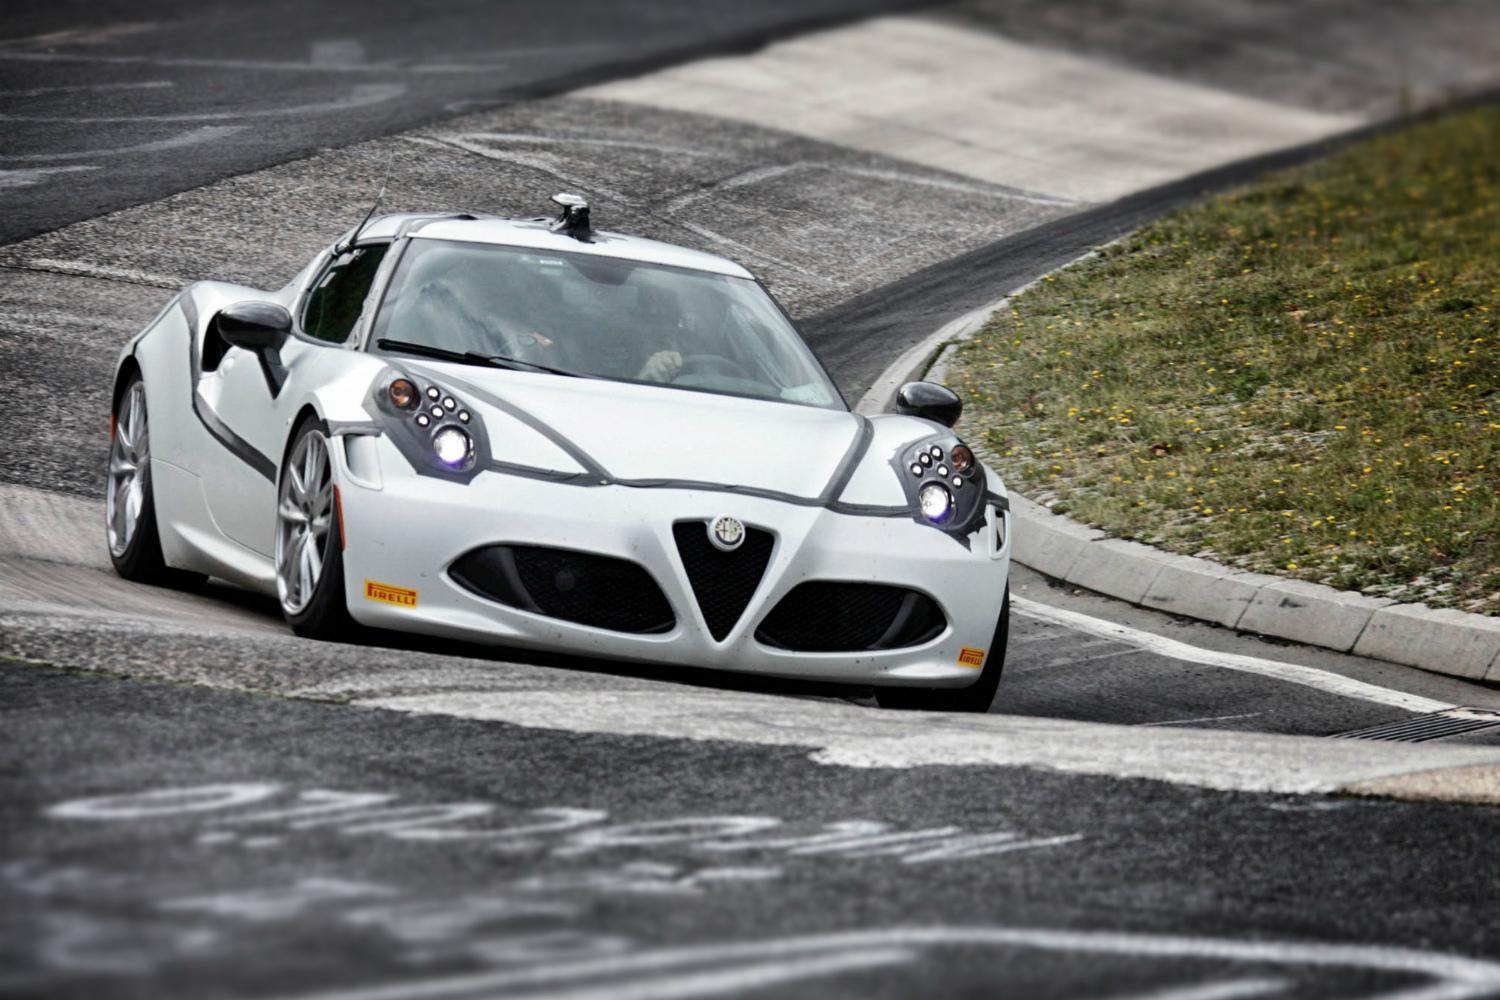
1291, 672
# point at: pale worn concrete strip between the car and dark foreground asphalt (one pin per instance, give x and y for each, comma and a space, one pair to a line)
853, 737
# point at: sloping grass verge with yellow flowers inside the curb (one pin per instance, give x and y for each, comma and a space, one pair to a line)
1300, 377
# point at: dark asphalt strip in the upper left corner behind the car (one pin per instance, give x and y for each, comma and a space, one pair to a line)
106, 106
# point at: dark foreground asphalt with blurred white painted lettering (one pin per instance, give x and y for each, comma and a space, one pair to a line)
278, 849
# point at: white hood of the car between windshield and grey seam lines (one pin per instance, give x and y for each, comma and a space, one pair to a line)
649, 433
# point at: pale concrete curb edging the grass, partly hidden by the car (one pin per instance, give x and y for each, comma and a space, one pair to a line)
1442, 641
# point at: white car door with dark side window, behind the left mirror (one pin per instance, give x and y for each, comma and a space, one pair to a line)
242, 487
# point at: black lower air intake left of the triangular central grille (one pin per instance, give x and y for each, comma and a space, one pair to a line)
575, 587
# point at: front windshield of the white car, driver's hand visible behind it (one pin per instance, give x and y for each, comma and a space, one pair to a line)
599, 317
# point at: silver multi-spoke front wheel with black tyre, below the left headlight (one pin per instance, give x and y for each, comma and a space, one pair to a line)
310, 543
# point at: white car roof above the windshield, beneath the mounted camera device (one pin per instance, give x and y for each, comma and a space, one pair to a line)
538, 235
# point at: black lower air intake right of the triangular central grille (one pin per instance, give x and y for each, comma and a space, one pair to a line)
832, 617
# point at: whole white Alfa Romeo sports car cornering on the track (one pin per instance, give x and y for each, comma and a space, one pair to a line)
535, 434
